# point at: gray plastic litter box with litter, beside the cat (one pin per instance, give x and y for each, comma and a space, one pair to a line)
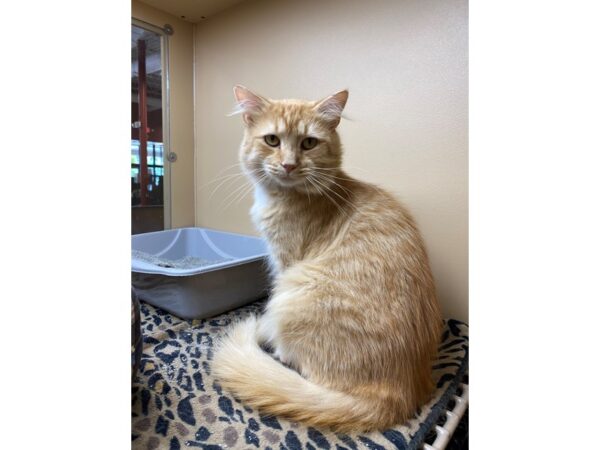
197, 272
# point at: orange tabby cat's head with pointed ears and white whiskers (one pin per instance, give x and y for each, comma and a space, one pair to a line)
290, 144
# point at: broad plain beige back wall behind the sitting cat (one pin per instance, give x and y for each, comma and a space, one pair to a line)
405, 63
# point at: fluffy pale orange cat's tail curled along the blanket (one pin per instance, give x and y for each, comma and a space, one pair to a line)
260, 381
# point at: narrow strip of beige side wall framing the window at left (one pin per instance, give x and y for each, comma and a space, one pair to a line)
181, 69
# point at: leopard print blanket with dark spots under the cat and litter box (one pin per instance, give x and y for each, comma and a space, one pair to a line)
176, 402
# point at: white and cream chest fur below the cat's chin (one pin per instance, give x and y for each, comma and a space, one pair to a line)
283, 224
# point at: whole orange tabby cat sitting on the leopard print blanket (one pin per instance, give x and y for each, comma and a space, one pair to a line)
353, 317
